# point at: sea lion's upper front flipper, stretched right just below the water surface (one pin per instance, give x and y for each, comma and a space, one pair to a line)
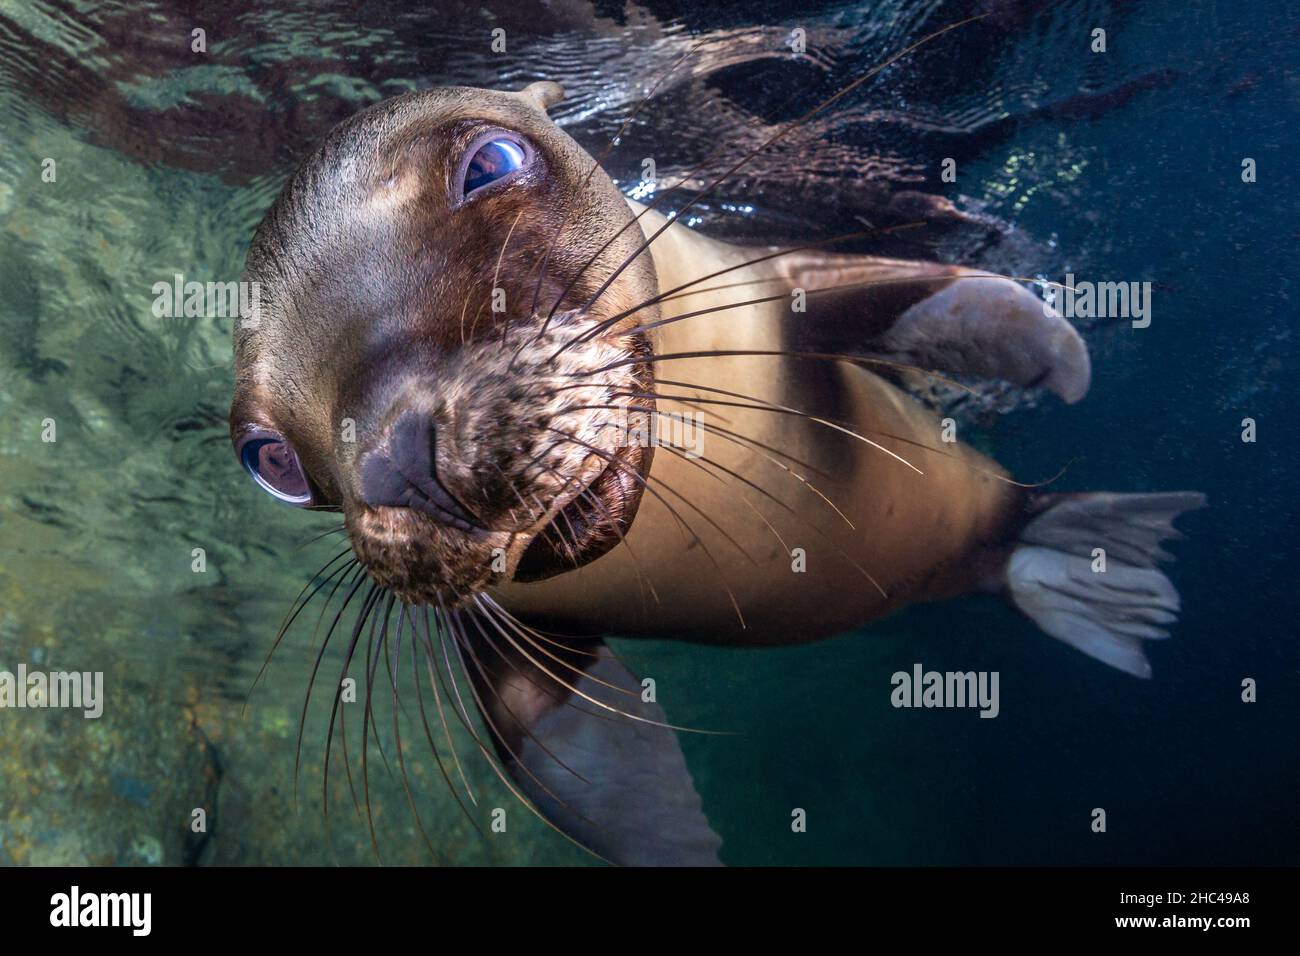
939, 318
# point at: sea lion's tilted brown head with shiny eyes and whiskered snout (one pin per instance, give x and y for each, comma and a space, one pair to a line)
427, 354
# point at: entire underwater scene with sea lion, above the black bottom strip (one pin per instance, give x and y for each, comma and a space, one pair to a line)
1129, 167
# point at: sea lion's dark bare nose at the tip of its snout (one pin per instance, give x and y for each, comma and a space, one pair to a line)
402, 473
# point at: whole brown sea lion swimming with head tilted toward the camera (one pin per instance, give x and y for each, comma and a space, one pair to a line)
463, 319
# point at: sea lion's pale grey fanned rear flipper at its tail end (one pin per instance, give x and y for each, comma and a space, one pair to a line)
1054, 576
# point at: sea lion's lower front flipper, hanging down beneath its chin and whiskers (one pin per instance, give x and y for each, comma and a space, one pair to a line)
618, 786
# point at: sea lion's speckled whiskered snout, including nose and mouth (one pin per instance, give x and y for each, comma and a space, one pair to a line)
492, 466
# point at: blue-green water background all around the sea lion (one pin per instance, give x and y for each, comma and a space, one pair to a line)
1124, 166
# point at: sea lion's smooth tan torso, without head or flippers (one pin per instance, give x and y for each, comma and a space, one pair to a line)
920, 537
